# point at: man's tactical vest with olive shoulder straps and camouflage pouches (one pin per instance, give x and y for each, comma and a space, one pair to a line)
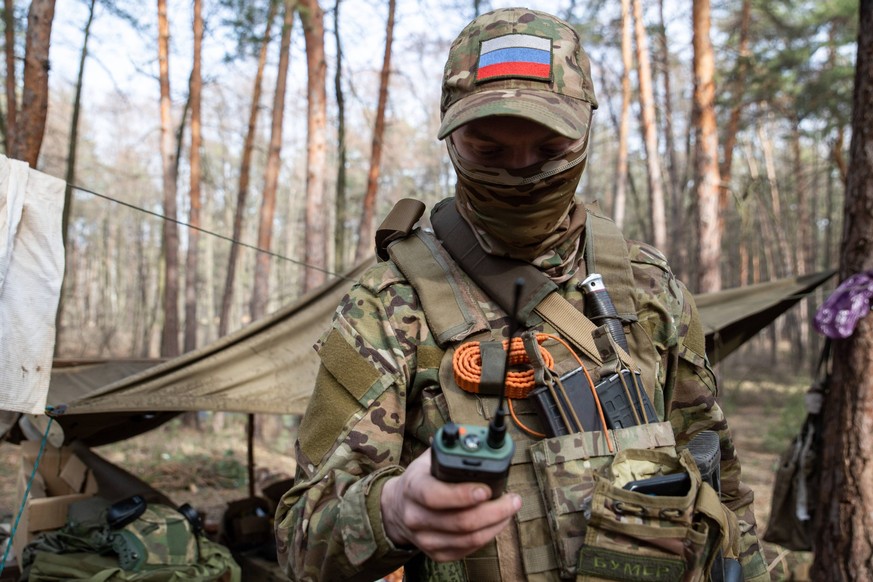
574, 524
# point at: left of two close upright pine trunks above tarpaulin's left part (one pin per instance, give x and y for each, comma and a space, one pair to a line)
170, 332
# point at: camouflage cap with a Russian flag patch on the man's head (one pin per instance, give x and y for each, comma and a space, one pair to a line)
522, 63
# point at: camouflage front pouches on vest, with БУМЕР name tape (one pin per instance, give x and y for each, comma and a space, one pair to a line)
602, 531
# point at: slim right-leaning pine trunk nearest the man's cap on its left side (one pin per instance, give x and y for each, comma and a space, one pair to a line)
365, 238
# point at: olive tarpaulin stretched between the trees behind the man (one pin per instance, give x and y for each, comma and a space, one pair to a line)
269, 366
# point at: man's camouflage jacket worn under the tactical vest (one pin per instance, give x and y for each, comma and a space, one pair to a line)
377, 403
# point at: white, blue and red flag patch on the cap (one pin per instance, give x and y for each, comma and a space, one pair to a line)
515, 55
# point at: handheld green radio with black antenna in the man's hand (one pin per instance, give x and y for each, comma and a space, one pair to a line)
470, 453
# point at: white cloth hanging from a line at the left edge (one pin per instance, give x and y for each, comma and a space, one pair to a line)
31, 272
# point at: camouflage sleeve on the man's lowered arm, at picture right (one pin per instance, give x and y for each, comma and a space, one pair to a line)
690, 390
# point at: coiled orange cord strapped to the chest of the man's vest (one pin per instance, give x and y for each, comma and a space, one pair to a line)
467, 365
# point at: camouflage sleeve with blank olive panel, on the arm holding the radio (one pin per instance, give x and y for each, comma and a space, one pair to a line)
328, 525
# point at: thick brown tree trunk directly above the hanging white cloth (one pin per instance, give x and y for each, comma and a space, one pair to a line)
30, 124
